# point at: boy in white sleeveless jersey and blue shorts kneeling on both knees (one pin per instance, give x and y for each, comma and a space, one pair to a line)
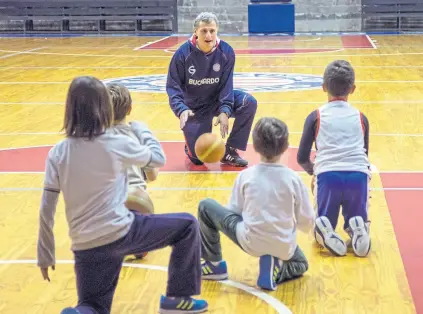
341, 171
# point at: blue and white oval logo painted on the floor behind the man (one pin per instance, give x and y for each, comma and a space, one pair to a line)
246, 81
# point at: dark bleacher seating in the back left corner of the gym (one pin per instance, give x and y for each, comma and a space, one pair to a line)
89, 16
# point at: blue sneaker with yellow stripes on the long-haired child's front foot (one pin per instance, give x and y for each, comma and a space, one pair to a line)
182, 305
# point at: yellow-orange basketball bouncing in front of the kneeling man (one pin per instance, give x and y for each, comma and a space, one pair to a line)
209, 148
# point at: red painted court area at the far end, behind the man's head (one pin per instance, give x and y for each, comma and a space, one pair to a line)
170, 44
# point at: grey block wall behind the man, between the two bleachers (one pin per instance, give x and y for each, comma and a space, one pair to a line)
311, 15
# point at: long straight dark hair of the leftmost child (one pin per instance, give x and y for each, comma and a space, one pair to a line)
88, 110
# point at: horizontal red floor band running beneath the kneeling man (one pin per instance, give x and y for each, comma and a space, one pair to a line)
32, 159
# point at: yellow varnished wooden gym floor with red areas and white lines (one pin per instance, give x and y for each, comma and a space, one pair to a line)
284, 74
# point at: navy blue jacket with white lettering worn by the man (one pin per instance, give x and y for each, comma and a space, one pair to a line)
200, 81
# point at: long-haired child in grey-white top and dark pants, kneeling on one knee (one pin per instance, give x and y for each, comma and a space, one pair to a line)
90, 168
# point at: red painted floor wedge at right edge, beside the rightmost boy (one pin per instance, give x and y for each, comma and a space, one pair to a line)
407, 217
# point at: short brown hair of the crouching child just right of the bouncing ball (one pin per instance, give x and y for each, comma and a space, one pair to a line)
270, 137
